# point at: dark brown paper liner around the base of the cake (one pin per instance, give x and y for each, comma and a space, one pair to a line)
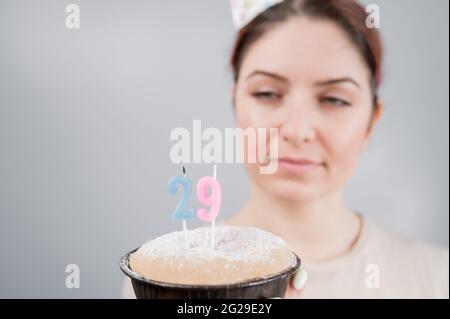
272, 286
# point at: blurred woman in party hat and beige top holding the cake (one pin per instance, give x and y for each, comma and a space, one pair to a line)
311, 68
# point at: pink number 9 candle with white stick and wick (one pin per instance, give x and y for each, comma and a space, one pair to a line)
213, 200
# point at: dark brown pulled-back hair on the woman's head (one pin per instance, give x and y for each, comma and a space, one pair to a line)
348, 14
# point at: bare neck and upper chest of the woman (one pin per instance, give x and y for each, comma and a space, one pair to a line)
317, 230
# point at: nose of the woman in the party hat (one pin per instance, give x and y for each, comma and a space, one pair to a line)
298, 125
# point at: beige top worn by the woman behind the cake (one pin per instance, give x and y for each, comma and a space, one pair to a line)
380, 265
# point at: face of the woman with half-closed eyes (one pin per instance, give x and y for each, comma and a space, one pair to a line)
307, 79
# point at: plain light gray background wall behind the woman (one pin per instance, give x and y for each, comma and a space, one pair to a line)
85, 118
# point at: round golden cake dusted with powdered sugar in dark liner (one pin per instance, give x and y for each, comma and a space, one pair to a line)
240, 254
